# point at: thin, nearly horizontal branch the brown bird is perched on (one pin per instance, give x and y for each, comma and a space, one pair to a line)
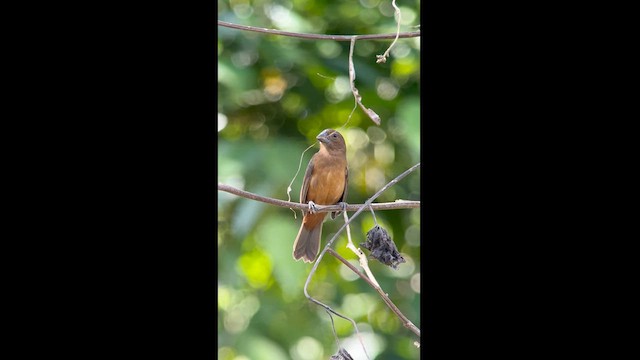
398, 204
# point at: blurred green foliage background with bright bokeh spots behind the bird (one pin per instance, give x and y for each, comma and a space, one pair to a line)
275, 94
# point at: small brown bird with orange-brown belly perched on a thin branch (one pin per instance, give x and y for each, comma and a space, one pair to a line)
325, 183
